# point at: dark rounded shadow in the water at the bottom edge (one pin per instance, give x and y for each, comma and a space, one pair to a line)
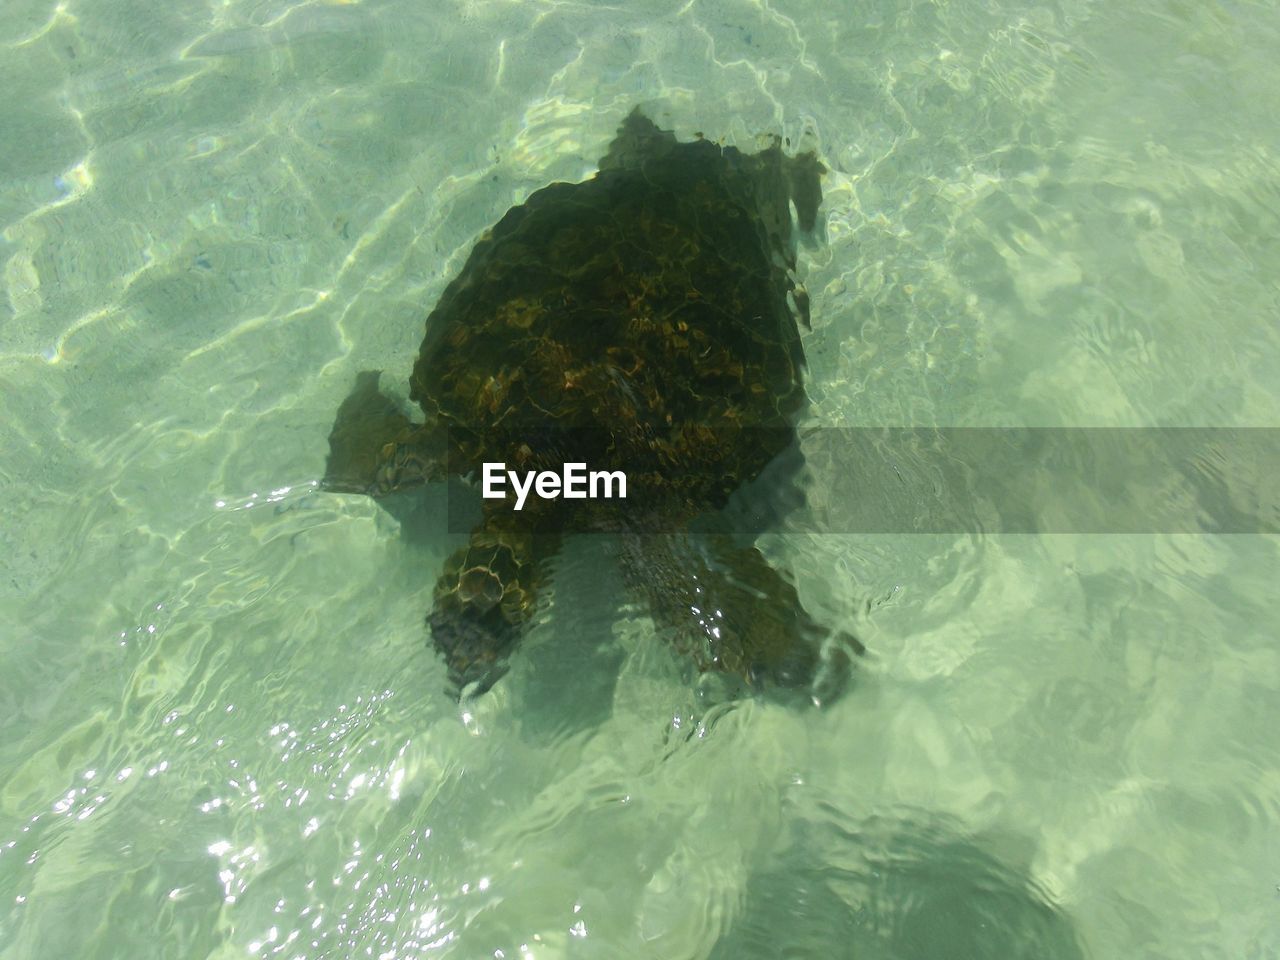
900, 890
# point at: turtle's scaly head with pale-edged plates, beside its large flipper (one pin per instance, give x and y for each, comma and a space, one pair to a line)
486, 597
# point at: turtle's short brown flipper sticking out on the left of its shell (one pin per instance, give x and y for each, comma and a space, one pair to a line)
376, 450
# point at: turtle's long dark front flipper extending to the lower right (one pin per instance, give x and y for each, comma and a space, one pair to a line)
733, 612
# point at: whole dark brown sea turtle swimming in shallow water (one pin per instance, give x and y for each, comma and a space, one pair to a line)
644, 321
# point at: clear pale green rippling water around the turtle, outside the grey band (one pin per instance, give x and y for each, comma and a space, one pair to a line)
222, 729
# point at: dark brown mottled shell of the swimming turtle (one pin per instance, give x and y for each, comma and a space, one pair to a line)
646, 318
